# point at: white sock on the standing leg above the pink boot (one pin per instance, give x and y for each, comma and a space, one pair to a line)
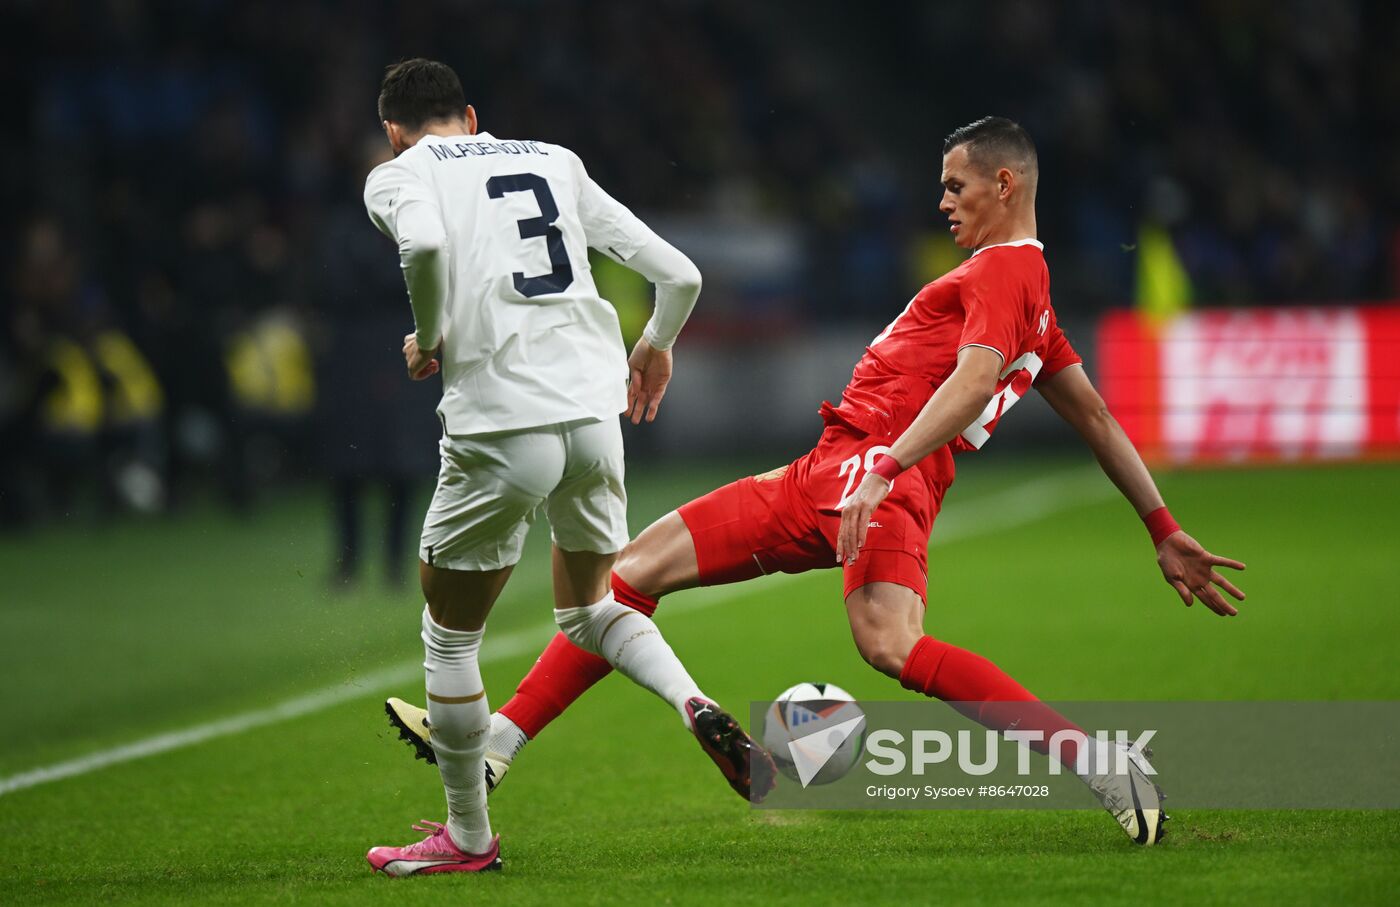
460, 719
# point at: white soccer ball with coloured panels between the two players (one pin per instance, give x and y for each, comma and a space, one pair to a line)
815, 733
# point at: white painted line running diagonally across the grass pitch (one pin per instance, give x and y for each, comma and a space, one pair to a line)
1017, 506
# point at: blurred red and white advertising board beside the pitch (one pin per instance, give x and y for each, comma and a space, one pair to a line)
1247, 386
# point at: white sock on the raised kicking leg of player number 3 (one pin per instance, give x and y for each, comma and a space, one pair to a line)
632, 645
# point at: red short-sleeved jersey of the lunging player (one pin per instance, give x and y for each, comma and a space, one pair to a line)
1000, 300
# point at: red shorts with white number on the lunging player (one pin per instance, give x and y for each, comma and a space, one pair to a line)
787, 520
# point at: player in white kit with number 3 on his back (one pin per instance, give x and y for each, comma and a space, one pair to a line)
493, 239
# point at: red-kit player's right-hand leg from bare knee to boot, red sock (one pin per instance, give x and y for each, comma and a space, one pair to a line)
888, 626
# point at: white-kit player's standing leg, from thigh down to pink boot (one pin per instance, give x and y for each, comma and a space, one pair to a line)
458, 603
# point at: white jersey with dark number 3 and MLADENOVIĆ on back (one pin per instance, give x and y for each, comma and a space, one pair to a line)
527, 341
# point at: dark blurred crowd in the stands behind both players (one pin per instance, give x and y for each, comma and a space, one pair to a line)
192, 290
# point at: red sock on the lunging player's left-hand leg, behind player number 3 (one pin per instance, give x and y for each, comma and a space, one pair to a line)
565, 673
